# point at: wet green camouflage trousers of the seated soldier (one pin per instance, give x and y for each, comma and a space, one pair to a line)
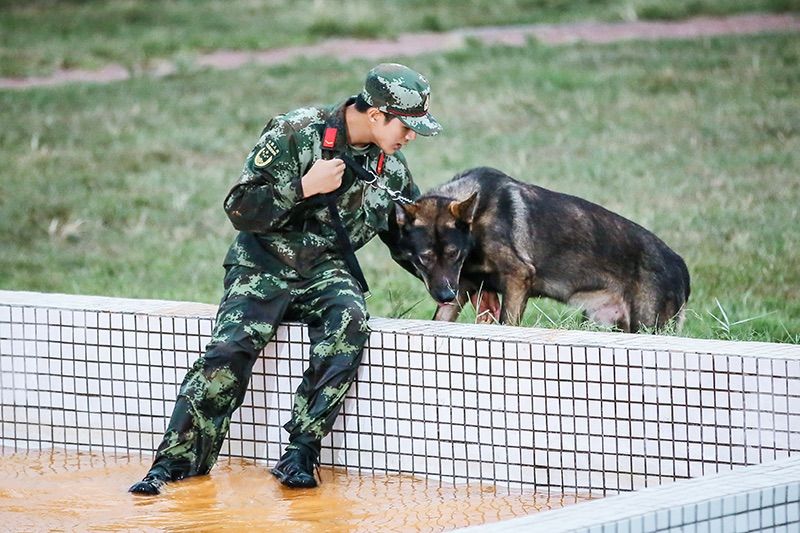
254, 303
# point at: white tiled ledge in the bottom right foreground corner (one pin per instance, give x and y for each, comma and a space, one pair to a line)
762, 497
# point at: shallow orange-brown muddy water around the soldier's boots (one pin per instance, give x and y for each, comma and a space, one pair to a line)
67, 491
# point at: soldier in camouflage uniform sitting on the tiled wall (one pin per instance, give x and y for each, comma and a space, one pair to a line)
289, 261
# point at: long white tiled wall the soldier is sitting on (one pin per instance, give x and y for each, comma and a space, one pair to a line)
561, 411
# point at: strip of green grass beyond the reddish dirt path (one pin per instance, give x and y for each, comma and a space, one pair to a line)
39, 36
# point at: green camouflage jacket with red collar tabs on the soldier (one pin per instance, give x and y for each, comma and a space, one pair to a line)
284, 233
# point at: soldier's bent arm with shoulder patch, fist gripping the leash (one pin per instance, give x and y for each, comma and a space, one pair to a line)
272, 190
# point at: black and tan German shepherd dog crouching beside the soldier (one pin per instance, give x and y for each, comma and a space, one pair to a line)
484, 230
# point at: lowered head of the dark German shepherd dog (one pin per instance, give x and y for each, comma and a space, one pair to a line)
435, 236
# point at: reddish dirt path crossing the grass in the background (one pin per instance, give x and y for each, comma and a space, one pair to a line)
420, 43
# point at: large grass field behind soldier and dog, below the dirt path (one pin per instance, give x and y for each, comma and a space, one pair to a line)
117, 189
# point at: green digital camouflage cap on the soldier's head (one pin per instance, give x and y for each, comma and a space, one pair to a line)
404, 93
